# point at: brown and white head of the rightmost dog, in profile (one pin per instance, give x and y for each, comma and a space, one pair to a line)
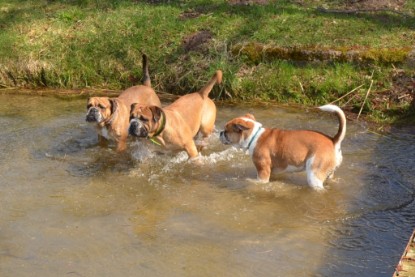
238, 130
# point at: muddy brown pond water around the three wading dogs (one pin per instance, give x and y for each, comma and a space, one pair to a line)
69, 207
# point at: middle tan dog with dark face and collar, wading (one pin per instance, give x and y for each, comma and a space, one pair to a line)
176, 125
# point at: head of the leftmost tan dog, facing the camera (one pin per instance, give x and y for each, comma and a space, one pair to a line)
100, 109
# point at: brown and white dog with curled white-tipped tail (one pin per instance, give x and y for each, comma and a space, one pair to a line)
277, 151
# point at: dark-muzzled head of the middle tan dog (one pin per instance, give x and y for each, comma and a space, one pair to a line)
144, 121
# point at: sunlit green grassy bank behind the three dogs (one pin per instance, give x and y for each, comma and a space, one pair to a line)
76, 44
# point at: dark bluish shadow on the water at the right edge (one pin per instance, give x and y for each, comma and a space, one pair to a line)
372, 241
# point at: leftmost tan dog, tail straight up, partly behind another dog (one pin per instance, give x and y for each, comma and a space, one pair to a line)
111, 115
